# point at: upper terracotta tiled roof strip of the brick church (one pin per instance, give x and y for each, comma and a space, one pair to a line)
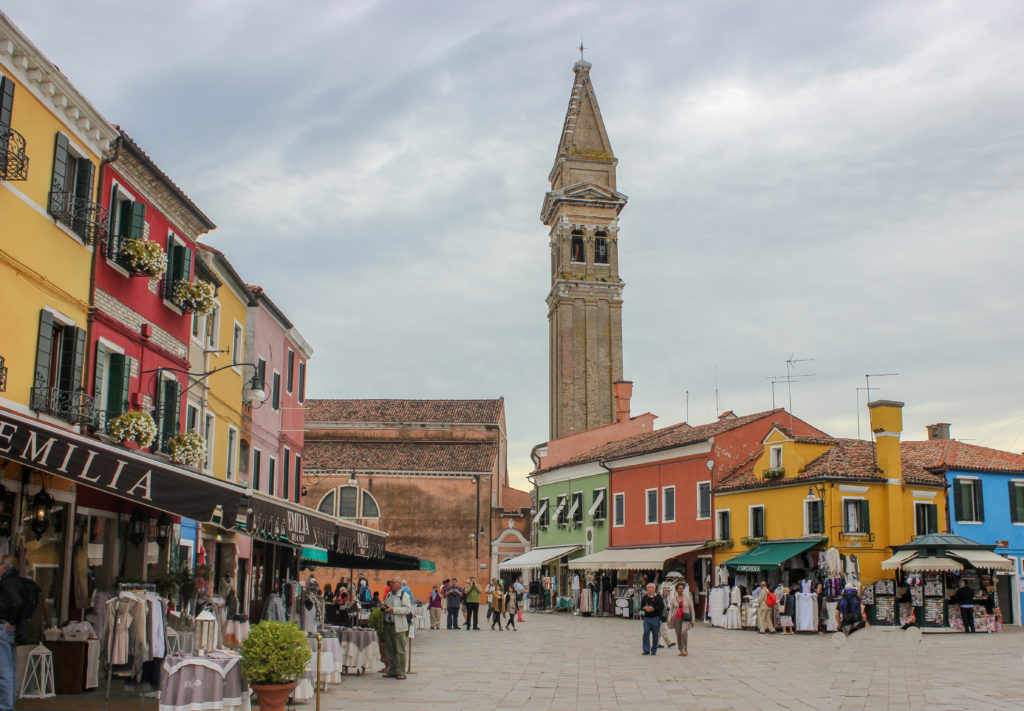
443, 411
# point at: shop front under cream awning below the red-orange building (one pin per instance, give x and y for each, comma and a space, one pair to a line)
615, 578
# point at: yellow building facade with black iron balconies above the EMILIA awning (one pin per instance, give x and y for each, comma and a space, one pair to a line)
52, 145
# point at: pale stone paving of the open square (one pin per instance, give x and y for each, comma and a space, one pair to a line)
564, 662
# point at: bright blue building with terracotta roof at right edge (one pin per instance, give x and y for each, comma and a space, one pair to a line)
987, 503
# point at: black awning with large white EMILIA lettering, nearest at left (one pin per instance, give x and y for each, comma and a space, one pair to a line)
106, 469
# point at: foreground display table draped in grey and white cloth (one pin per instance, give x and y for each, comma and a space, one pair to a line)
197, 684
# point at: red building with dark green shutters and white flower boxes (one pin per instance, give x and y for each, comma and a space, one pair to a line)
139, 339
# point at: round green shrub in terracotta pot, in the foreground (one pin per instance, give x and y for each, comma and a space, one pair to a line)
273, 658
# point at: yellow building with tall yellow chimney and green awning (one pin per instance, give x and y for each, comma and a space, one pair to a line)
804, 494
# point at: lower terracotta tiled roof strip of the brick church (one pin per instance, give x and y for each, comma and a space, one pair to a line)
414, 457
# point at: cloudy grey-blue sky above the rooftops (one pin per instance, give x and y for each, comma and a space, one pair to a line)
834, 181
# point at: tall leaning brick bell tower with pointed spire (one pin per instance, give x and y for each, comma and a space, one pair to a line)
585, 305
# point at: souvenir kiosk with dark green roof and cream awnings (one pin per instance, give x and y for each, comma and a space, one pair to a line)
928, 571
